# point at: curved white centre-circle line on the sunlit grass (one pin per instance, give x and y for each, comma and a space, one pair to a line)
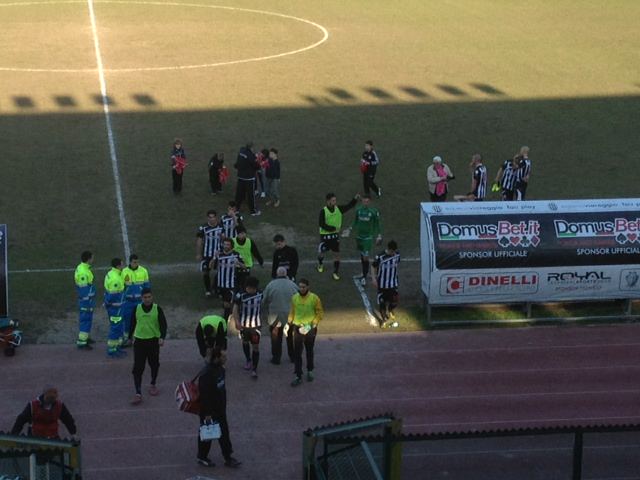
325, 37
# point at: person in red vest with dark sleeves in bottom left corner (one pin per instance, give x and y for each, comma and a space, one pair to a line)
43, 414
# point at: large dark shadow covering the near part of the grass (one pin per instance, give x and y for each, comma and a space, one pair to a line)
64, 180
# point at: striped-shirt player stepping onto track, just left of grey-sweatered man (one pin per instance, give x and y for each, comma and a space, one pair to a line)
246, 313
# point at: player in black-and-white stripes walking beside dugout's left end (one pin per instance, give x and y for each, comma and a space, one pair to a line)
385, 277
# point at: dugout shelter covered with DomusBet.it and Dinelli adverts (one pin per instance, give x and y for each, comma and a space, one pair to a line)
530, 251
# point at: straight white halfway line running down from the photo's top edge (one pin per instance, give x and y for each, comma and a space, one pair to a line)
110, 137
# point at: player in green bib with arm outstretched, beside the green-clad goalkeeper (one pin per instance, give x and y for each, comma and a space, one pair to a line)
330, 222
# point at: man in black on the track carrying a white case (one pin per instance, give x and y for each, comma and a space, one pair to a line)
213, 407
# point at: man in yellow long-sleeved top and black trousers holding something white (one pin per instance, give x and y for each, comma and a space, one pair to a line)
304, 316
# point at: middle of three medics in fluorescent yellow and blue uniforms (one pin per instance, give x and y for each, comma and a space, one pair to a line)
113, 302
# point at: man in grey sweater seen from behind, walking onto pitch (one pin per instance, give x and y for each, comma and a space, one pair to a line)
276, 301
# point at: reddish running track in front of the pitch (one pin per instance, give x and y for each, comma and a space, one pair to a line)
435, 381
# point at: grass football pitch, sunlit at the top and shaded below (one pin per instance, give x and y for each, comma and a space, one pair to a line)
420, 78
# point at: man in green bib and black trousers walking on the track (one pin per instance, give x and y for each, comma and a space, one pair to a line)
148, 330
